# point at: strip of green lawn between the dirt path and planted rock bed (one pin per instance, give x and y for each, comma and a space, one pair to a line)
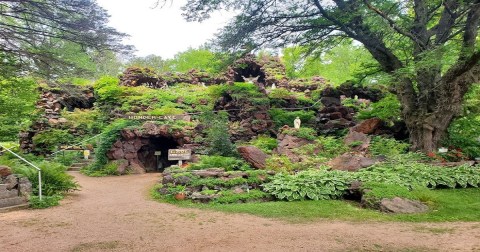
448, 205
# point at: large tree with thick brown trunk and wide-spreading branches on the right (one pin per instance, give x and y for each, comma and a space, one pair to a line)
428, 47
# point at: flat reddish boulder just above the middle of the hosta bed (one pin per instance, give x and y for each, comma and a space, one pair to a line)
351, 162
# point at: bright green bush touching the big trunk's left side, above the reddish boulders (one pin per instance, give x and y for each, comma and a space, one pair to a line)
387, 109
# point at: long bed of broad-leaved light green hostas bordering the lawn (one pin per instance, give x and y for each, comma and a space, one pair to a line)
322, 184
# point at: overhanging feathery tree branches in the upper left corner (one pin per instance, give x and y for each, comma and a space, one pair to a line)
32, 31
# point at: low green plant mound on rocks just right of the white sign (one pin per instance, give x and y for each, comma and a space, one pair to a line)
228, 163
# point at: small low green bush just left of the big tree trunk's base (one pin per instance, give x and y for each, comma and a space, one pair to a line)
387, 147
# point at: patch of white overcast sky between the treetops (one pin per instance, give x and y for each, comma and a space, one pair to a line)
160, 31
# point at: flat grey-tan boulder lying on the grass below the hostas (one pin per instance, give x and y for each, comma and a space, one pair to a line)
401, 205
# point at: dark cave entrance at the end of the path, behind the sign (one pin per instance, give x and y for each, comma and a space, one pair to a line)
154, 155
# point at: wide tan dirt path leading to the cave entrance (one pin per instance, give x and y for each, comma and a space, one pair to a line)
115, 214
